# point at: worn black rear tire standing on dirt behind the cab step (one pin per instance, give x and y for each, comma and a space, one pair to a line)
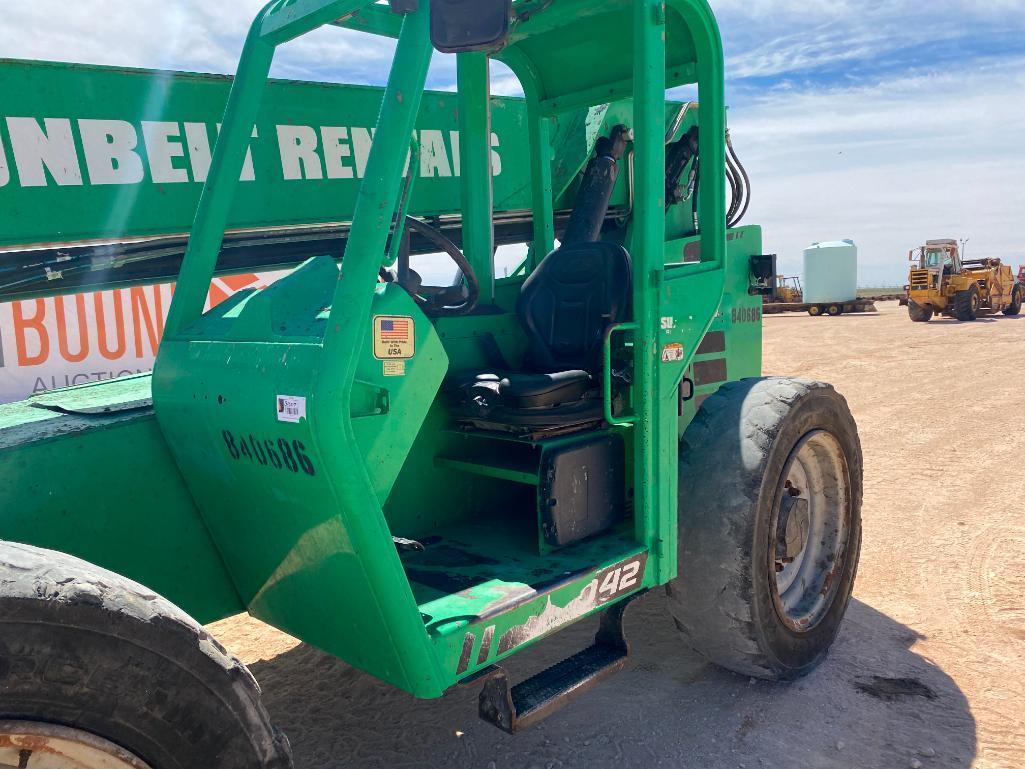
733, 458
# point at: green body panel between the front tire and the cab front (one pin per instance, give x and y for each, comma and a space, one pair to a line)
81, 476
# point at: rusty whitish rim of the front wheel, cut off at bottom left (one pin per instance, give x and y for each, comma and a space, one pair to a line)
37, 746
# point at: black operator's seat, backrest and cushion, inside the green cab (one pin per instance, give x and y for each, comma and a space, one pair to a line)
565, 308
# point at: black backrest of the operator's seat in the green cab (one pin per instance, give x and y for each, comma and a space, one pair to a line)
568, 303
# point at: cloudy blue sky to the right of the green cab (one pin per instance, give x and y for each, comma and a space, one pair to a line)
886, 123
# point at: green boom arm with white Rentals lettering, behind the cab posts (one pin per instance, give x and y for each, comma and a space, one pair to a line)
296, 201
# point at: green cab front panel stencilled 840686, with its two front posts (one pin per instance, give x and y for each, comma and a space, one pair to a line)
310, 550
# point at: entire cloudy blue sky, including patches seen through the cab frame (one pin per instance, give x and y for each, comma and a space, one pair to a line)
886, 123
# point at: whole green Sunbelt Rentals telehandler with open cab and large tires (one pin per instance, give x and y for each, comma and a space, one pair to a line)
423, 480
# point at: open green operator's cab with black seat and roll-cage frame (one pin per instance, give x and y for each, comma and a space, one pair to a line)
423, 480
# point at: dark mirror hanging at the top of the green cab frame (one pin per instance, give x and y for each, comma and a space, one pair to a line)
461, 26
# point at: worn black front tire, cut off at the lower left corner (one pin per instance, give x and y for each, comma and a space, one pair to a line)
86, 649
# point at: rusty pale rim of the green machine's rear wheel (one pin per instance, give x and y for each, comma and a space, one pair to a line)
810, 532
